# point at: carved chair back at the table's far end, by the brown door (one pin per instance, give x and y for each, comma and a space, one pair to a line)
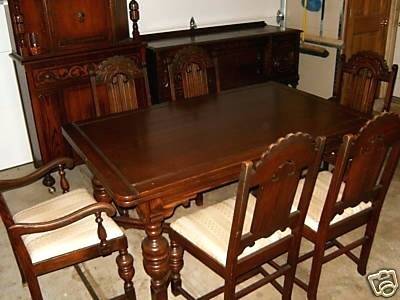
359, 81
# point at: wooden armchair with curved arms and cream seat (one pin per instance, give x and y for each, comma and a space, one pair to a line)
63, 231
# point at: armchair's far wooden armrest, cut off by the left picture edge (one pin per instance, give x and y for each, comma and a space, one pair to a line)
10, 184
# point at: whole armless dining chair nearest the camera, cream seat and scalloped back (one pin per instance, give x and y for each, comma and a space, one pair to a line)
237, 236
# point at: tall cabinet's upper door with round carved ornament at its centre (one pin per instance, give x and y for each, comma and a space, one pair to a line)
77, 23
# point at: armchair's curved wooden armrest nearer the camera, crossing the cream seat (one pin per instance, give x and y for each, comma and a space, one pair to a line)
28, 228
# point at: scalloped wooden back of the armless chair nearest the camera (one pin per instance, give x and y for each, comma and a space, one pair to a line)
276, 177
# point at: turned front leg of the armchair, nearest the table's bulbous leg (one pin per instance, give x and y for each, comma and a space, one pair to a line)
126, 272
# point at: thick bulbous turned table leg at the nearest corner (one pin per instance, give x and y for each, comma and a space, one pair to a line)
155, 260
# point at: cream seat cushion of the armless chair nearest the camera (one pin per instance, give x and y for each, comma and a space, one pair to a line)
209, 229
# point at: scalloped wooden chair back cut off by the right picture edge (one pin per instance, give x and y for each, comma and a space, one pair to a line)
366, 164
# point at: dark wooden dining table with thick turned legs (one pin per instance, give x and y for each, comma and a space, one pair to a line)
156, 159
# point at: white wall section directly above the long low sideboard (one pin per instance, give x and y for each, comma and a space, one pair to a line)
162, 15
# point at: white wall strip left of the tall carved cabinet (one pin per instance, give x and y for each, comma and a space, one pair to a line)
14, 143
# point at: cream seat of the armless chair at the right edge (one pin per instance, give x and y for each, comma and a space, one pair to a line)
318, 201
